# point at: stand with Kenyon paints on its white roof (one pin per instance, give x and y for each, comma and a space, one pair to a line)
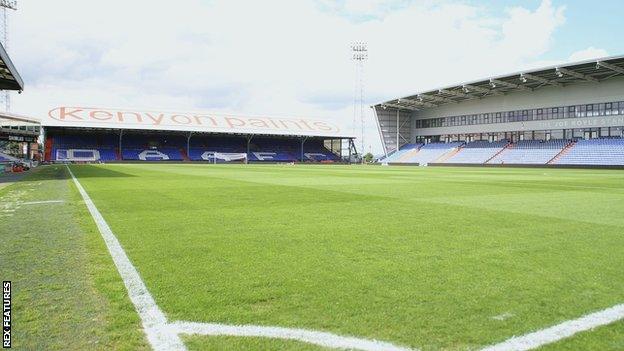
74, 134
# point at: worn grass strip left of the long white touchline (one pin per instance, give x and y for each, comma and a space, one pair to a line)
67, 294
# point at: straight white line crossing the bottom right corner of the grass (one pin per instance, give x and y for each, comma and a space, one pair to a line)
560, 331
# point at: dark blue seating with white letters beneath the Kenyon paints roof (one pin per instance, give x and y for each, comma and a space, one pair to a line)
104, 147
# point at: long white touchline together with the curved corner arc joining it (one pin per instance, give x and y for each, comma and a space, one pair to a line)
164, 336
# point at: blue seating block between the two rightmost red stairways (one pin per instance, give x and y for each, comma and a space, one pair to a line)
530, 152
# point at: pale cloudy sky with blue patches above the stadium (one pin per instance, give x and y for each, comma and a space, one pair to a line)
287, 58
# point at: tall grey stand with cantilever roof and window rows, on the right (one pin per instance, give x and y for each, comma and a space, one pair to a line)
566, 115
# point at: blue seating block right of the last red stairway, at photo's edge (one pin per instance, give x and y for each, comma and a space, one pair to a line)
595, 152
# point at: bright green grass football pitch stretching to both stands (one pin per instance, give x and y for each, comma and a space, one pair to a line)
423, 258
